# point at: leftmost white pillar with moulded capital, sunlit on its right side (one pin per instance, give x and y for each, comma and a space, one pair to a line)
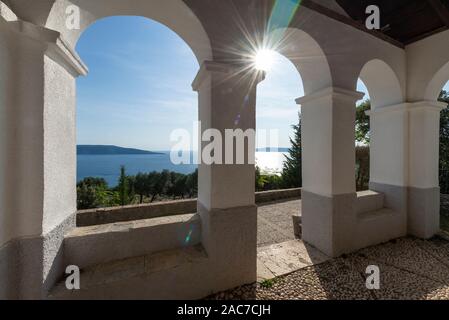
41, 175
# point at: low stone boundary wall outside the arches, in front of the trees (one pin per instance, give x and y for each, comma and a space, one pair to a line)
164, 209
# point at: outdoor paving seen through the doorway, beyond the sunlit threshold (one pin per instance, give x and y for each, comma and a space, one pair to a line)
274, 222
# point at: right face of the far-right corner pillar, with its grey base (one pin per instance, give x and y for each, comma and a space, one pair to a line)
424, 191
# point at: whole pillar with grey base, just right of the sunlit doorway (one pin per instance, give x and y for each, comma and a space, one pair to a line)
328, 164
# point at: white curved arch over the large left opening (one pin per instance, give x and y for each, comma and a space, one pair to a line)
174, 14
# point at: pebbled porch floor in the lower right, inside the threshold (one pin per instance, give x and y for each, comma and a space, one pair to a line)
409, 269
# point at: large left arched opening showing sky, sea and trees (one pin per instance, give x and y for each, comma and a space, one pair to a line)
137, 93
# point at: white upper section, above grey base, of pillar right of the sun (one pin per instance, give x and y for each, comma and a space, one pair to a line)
328, 121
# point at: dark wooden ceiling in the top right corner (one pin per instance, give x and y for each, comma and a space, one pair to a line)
404, 21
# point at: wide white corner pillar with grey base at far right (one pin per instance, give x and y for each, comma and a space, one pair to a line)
404, 165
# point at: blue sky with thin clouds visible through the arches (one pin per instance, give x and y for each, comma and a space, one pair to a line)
139, 87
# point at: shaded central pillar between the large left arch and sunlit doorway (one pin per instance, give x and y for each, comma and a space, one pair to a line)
226, 199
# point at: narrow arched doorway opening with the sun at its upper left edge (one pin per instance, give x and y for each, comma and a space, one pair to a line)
278, 153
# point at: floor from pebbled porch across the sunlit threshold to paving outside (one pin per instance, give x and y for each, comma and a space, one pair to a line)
410, 268
